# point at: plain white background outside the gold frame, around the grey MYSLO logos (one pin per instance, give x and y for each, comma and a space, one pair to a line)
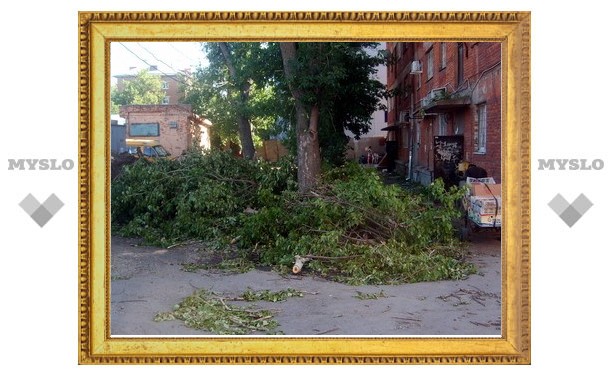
570, 266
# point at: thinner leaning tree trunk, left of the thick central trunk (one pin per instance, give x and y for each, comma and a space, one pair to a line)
244, 125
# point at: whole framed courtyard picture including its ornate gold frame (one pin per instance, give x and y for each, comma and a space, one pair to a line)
304, 187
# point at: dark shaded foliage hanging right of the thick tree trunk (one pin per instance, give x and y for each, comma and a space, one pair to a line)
339, 78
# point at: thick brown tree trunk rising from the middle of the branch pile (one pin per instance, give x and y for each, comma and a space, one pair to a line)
308, 152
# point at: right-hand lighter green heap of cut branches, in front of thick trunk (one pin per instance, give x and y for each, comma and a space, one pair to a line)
378, 233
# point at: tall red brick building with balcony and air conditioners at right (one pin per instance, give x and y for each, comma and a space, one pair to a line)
446, 107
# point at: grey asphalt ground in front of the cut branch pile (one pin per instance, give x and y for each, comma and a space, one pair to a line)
148, 280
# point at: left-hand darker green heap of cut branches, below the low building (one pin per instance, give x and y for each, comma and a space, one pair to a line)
203, 195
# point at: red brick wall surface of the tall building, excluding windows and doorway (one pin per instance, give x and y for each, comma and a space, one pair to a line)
480, 81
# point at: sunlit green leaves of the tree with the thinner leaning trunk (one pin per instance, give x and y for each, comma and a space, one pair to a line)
250, 89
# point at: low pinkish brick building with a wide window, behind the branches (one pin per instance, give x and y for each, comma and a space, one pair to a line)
173, 126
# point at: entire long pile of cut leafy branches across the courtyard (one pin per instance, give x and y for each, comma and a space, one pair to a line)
360, 230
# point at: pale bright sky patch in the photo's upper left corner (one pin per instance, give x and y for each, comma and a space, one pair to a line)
169, 57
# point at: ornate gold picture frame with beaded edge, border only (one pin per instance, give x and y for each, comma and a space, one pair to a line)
98, 29
